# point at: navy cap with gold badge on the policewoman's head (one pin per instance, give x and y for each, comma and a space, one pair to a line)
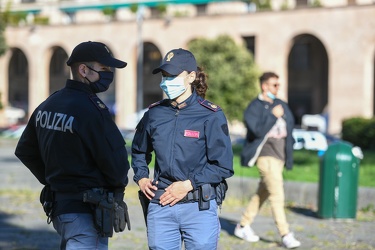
176, 61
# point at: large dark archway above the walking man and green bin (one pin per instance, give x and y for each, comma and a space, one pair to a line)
307, 77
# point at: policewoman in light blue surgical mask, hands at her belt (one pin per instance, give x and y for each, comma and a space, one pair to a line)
193, 154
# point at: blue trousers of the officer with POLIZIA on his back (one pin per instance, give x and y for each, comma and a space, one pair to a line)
77, 231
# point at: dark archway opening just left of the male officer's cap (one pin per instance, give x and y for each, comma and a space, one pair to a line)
58, 70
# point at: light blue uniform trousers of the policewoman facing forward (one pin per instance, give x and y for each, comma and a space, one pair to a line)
168, 226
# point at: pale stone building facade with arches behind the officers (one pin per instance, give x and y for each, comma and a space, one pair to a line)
325, 57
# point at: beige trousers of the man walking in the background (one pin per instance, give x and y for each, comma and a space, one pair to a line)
271, 186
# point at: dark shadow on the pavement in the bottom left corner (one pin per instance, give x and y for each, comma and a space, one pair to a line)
15, 237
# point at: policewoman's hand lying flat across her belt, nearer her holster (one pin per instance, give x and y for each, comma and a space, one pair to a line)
175, 192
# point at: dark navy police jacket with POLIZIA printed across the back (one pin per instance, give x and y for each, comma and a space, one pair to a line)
72, 144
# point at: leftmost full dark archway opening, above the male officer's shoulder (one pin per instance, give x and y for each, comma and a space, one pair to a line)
18, 80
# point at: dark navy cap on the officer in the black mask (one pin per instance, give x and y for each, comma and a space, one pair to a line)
94, 52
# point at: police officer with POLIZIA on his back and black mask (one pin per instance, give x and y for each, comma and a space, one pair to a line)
71, 145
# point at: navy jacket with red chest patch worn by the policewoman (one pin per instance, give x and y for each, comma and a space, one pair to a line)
190, 140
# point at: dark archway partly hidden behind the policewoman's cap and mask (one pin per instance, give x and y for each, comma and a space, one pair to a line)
151, 60
